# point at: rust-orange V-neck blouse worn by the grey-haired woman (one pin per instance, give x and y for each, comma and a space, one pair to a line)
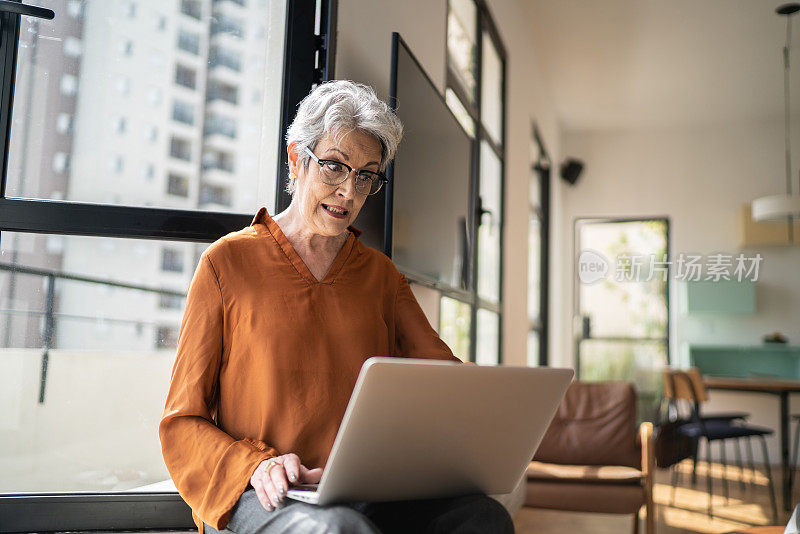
268, 356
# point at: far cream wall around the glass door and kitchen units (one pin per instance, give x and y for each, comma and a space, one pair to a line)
699, 176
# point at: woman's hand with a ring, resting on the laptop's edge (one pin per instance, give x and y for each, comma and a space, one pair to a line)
271, 485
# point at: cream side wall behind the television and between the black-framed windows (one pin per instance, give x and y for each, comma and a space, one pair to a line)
362, 54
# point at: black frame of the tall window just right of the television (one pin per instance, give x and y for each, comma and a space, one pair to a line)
484, 24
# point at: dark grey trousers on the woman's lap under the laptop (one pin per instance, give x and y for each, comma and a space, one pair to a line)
471, 514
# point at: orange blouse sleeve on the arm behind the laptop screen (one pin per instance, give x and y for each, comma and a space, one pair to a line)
414, 335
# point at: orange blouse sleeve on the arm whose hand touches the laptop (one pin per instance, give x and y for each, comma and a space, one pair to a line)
210, 468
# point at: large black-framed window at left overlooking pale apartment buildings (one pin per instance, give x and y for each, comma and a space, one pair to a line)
111, 329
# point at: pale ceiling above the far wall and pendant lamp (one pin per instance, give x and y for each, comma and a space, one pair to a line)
622, 64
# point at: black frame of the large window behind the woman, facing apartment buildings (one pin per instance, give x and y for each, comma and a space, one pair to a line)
308, 59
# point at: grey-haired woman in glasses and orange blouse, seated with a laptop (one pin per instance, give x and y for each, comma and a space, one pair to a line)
278, 320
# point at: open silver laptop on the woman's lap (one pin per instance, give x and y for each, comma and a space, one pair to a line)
424, 429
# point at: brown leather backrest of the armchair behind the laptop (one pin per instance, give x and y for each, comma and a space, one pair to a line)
595, 424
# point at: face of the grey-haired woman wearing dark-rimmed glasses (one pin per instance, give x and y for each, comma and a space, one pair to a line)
359, 150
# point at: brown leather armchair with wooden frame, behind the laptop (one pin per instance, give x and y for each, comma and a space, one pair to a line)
592, 458
